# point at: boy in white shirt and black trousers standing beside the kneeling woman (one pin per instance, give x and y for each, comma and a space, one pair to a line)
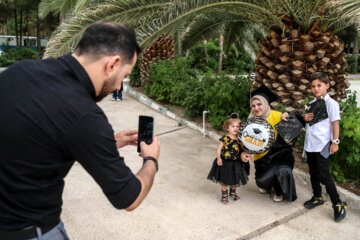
317, 137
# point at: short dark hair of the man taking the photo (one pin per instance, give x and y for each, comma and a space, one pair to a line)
108, 38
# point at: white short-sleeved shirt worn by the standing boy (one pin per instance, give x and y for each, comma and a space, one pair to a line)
319, 134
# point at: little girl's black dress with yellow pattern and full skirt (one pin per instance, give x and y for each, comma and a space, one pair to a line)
233, 171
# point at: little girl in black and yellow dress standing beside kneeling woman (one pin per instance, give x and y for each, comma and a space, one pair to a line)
230, 167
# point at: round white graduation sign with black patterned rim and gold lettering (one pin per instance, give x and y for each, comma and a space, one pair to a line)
257, 135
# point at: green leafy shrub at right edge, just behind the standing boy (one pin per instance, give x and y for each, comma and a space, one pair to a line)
345, 164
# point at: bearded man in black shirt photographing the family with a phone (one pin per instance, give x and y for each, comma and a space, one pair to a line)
49, 118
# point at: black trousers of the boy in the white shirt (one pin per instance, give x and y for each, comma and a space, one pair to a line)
319, 173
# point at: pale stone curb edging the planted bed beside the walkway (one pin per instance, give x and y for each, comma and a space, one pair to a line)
352, 199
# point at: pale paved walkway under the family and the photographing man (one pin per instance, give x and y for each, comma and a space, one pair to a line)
183, 204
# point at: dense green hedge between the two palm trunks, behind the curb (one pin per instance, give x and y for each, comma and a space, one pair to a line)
177, 83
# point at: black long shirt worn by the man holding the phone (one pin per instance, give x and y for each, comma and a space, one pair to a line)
49, 119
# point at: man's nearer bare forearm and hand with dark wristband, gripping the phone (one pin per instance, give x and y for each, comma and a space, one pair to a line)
147, 173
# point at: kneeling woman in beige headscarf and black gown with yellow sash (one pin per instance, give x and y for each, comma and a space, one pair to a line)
273, 169
